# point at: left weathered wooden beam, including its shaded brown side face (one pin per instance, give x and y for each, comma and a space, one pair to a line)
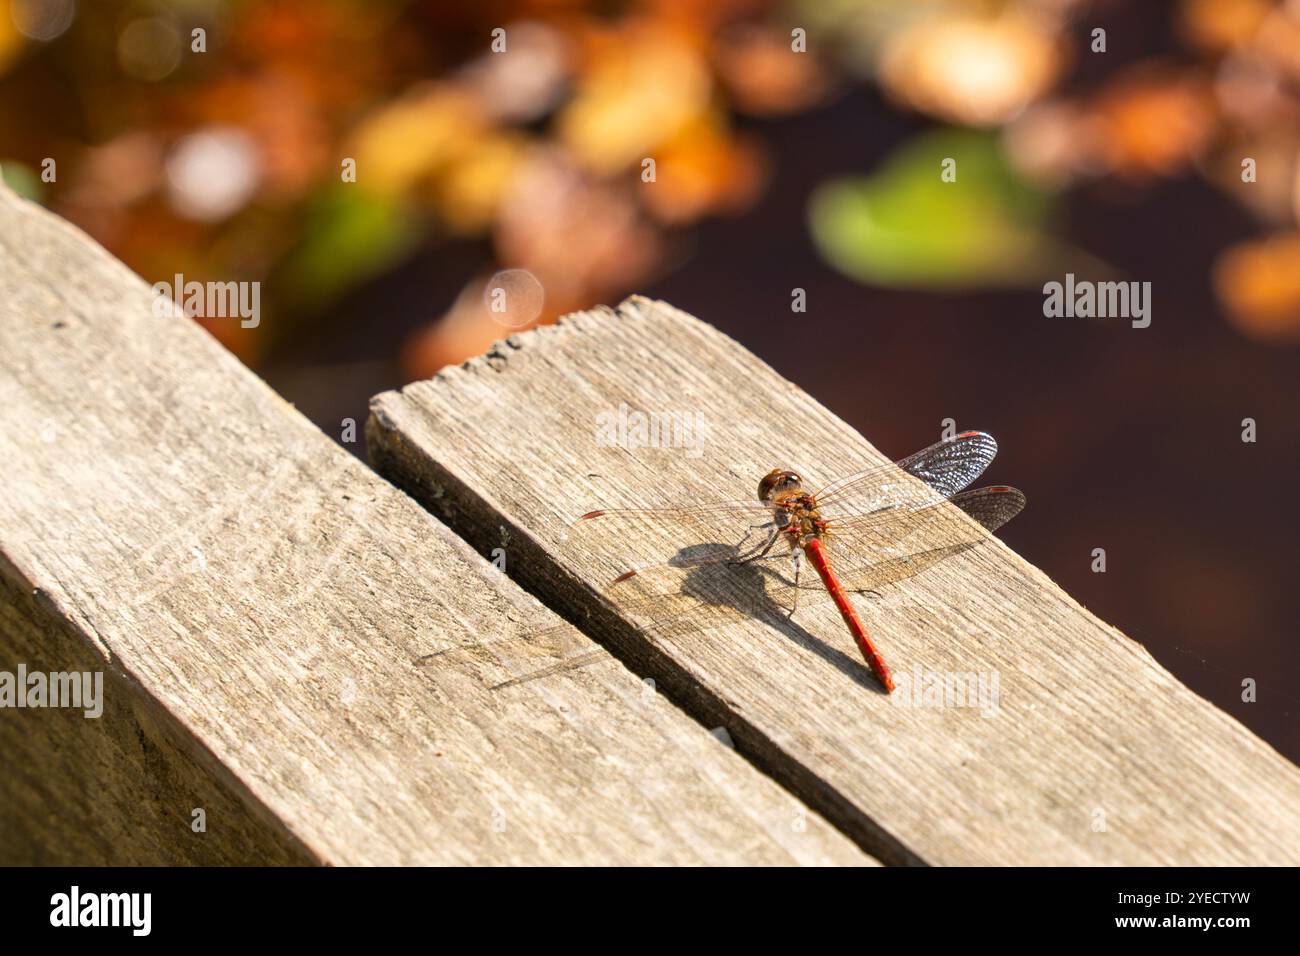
270, 615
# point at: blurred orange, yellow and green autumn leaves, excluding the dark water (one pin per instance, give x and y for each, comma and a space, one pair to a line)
228, 162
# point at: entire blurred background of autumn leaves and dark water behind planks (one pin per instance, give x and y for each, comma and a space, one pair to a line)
774, 170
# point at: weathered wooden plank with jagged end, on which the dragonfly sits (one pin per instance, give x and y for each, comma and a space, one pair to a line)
1093, 755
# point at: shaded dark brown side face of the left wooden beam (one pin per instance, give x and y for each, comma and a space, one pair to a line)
120, 789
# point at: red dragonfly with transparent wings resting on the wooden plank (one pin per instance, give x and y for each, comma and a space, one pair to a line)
710, 565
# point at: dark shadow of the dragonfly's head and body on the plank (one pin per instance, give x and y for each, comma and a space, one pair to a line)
723, 591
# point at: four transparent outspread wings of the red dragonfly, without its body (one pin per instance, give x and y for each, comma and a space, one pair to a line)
673, 572
